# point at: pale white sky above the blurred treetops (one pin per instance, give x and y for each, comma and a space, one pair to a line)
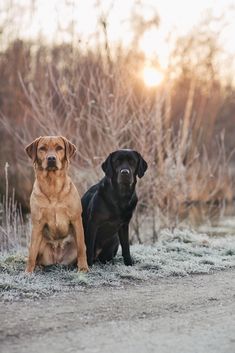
176, 18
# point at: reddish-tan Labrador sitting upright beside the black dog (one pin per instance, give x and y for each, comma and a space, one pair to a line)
57, 233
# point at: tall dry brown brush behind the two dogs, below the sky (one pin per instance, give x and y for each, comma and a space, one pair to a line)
103, 107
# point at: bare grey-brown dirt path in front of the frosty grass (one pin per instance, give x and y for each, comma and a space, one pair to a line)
189, 314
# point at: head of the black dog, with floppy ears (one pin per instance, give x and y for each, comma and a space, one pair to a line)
124, 165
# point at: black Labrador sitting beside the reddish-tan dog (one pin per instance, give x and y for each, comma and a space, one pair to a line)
108, 207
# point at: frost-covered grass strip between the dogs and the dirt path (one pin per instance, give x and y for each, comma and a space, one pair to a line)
177, 253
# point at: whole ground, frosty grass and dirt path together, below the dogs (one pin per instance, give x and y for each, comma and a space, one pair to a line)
178, 297
